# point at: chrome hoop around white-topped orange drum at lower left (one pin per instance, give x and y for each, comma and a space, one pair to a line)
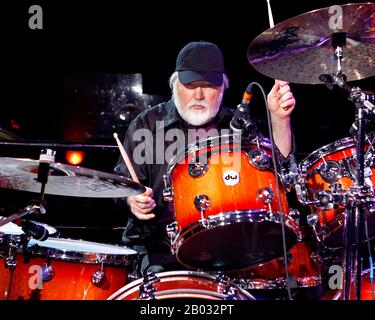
69, 255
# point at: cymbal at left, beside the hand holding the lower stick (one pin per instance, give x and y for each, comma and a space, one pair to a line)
65, 180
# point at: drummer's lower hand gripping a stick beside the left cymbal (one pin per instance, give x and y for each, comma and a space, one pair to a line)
142, 205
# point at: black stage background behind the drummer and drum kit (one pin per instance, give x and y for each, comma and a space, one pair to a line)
84, 43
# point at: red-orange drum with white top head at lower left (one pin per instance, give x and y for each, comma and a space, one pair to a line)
64, 269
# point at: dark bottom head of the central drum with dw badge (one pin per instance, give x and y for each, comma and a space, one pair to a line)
239, 245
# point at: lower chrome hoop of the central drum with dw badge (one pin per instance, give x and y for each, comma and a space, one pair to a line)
227, 218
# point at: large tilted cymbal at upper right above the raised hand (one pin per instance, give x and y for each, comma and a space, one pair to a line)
299, 49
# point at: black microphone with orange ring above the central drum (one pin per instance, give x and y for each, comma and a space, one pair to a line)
241, 121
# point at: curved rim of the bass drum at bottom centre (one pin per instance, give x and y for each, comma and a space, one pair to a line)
119, 294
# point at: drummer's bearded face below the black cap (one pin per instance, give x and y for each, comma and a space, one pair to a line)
198, 102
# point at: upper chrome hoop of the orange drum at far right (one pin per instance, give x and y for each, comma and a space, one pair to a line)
330, 148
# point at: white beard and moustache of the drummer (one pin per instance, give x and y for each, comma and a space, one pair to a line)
197, 117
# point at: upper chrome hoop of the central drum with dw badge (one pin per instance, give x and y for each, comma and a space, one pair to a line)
229, 139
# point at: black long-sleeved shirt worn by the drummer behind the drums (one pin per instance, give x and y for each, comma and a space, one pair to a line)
157, 124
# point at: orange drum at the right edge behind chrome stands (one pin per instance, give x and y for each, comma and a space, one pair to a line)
335, 164
